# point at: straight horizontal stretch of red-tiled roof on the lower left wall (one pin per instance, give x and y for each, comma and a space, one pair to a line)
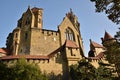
24, 56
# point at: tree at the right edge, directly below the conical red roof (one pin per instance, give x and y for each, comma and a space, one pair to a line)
113, 53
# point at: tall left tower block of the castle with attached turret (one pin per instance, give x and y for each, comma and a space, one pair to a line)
22, 35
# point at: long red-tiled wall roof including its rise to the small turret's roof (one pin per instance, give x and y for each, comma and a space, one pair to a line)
67, 44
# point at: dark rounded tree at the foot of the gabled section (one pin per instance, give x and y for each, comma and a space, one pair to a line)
83, 71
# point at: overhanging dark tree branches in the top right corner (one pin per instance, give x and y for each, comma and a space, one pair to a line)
110, 7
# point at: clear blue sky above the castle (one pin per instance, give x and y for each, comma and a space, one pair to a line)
93, 25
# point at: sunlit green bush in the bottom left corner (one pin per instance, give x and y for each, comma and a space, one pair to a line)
22, 70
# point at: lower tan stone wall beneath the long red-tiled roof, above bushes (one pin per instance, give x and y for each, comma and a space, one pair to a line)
47, 66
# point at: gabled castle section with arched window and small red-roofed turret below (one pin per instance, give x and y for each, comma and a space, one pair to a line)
71, 37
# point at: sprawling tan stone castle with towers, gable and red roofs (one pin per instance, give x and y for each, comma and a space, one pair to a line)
53, 51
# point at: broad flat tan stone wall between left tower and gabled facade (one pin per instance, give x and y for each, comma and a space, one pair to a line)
43, 42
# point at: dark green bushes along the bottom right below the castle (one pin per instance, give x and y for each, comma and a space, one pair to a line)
85, 71
